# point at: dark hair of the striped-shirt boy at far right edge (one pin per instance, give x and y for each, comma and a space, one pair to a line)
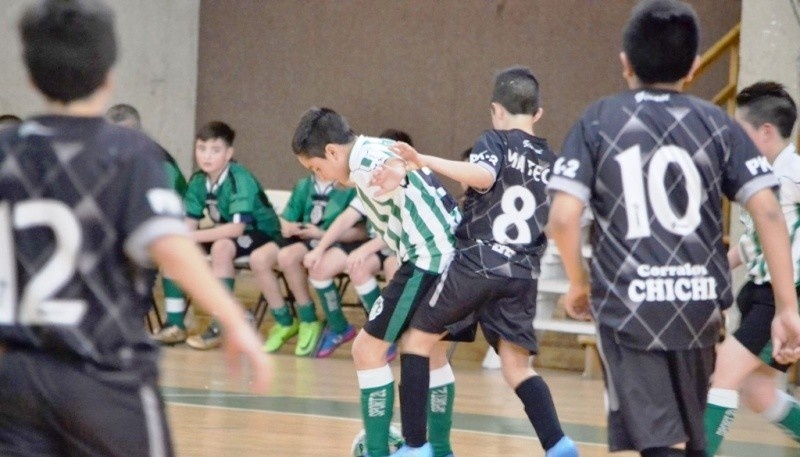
768, 102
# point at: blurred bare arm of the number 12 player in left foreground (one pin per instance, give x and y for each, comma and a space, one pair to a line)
183, 261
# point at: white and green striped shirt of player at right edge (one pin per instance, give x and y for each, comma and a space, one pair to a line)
787, 169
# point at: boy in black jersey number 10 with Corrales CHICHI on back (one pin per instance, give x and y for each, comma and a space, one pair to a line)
654, 164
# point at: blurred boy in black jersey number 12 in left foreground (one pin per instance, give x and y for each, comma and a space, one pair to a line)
84, 206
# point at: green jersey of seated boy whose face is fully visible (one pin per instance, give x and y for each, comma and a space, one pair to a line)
236, 197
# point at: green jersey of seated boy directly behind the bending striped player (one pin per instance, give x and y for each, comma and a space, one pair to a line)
316, 202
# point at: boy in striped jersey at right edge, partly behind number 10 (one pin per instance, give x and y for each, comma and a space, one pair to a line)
745, 366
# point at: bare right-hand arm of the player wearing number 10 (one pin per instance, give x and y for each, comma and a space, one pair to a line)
771, 227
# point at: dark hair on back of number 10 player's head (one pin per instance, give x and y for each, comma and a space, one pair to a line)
661, 40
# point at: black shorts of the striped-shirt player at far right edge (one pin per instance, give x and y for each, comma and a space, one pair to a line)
756, 302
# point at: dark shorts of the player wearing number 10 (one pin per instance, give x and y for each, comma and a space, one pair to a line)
655, 398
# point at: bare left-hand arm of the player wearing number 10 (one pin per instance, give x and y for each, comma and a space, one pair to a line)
564, 227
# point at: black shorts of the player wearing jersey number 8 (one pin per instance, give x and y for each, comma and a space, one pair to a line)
504, 307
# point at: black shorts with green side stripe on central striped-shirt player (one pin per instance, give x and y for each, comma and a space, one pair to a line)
392, 311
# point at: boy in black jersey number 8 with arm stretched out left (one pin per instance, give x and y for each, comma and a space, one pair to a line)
492, 278
